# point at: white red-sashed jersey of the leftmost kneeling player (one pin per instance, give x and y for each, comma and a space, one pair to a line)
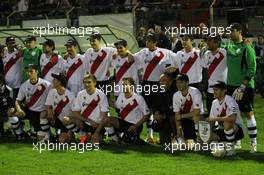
34, 95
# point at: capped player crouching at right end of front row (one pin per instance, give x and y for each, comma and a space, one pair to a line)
225, 112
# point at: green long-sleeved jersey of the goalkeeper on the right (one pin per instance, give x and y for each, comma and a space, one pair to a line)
241, 64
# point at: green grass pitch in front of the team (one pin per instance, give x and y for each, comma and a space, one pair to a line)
20, 158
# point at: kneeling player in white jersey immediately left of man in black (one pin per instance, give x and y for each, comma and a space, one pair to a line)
133, 113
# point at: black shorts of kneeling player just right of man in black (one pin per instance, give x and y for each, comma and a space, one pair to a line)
188, 129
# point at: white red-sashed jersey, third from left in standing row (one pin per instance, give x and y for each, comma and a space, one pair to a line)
75, 71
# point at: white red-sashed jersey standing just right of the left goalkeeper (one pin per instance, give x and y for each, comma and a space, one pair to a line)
52, 64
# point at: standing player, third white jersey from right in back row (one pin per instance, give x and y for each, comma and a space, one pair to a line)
154, 61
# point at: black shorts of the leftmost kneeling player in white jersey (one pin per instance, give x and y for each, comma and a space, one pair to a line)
34, 118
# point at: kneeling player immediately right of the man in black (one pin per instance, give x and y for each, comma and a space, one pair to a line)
187, 105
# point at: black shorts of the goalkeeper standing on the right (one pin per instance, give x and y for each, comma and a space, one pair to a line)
247, 102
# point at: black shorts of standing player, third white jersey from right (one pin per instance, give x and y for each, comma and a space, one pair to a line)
148, 94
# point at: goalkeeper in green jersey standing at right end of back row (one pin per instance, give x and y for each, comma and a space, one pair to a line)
241, 64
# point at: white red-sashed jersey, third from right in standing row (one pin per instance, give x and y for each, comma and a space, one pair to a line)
154, 63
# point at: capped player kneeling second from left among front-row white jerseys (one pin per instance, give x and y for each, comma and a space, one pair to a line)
58, 107
